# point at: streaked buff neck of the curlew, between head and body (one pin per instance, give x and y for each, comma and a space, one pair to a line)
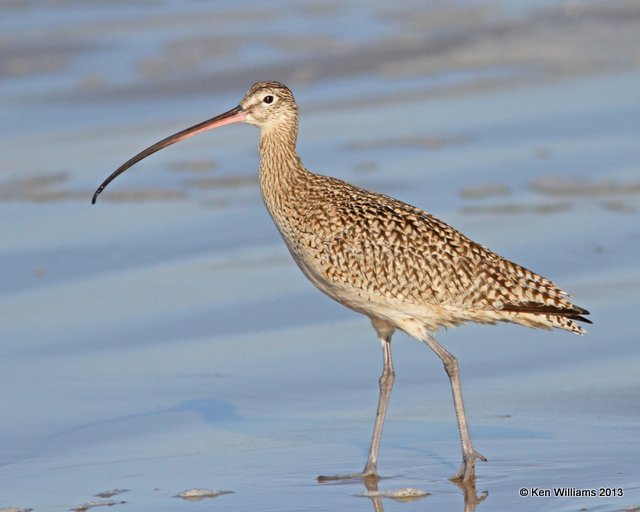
281, 170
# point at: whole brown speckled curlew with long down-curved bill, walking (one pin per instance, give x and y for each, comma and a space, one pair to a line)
398, 265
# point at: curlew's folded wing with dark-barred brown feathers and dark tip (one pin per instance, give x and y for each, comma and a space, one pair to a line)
392, 250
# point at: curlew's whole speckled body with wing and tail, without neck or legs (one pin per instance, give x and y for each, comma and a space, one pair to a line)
390, 260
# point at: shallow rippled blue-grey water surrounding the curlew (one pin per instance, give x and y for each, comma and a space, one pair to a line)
163, 340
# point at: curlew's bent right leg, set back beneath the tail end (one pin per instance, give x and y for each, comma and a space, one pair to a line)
466, 471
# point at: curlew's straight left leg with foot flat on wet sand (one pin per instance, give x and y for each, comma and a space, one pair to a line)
386, 380
